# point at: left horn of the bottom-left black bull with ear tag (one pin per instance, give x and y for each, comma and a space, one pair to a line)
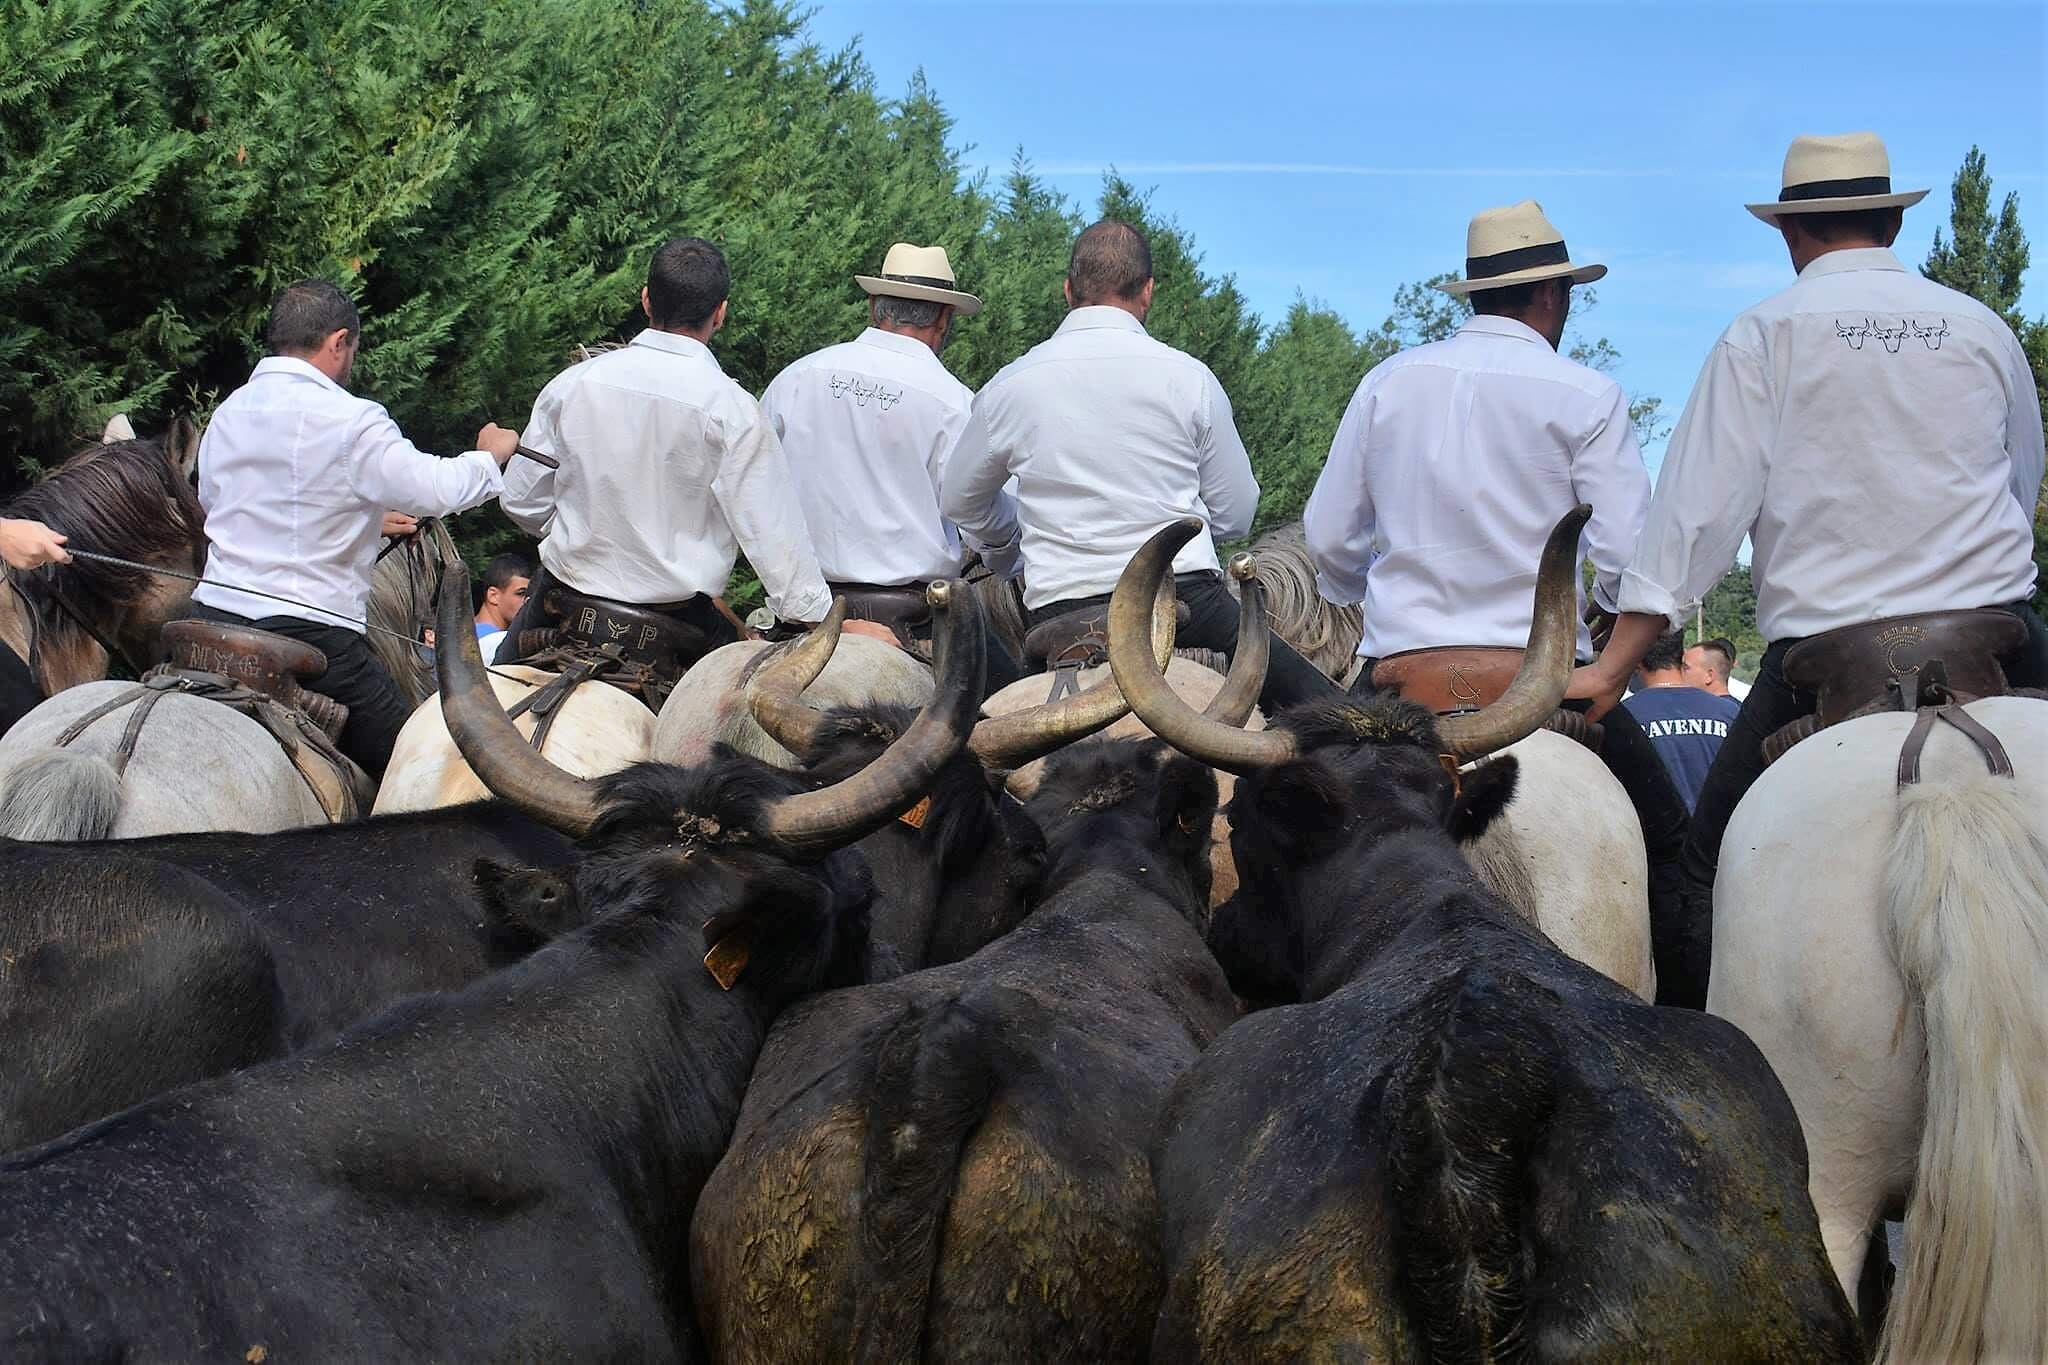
488, 740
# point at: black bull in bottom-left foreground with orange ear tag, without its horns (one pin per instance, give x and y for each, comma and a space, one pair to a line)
495, 1174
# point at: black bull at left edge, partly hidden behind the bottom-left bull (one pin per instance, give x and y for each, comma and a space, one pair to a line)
134, 967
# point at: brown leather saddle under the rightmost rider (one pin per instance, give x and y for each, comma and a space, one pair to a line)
1854, 666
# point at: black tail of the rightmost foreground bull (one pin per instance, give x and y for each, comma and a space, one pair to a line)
1465, 1118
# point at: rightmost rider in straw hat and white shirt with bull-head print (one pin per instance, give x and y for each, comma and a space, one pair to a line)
1877, 439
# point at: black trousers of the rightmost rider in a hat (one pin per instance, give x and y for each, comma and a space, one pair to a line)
1773, 705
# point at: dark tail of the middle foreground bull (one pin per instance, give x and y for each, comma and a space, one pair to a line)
933, 1080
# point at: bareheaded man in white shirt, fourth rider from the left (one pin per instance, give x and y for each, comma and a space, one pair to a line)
1113, 435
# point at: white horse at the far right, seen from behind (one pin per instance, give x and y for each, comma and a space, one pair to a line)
1887, 949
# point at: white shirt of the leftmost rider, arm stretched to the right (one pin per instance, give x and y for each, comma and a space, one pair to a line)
296, 476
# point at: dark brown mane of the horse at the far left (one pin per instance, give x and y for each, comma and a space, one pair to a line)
124, 498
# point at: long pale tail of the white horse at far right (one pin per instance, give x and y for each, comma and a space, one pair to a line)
1967, 889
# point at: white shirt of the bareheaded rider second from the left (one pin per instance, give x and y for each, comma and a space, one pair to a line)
667, 472
